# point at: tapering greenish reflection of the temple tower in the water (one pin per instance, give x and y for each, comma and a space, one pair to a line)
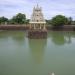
37, 48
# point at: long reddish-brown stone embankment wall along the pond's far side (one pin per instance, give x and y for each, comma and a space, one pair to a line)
48, 27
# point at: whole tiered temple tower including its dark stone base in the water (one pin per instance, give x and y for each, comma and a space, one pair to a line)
37, 24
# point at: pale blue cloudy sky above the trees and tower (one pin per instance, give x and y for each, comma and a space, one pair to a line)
50, 8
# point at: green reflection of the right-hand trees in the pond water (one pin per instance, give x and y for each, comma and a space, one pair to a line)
60, 38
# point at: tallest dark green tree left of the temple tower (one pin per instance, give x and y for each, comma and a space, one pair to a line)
18, 19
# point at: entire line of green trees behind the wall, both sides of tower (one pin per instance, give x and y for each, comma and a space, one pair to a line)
58, 20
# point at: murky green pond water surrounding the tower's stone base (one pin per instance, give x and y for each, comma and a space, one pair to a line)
22, 56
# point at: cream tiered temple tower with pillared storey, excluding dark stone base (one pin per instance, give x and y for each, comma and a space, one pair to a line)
37, 20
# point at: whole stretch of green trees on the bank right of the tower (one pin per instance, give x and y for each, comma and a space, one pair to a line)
60, 20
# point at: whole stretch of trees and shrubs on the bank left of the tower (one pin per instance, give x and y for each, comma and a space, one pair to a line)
17, 19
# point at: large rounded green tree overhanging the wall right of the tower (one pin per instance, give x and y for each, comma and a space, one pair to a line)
59, 20
